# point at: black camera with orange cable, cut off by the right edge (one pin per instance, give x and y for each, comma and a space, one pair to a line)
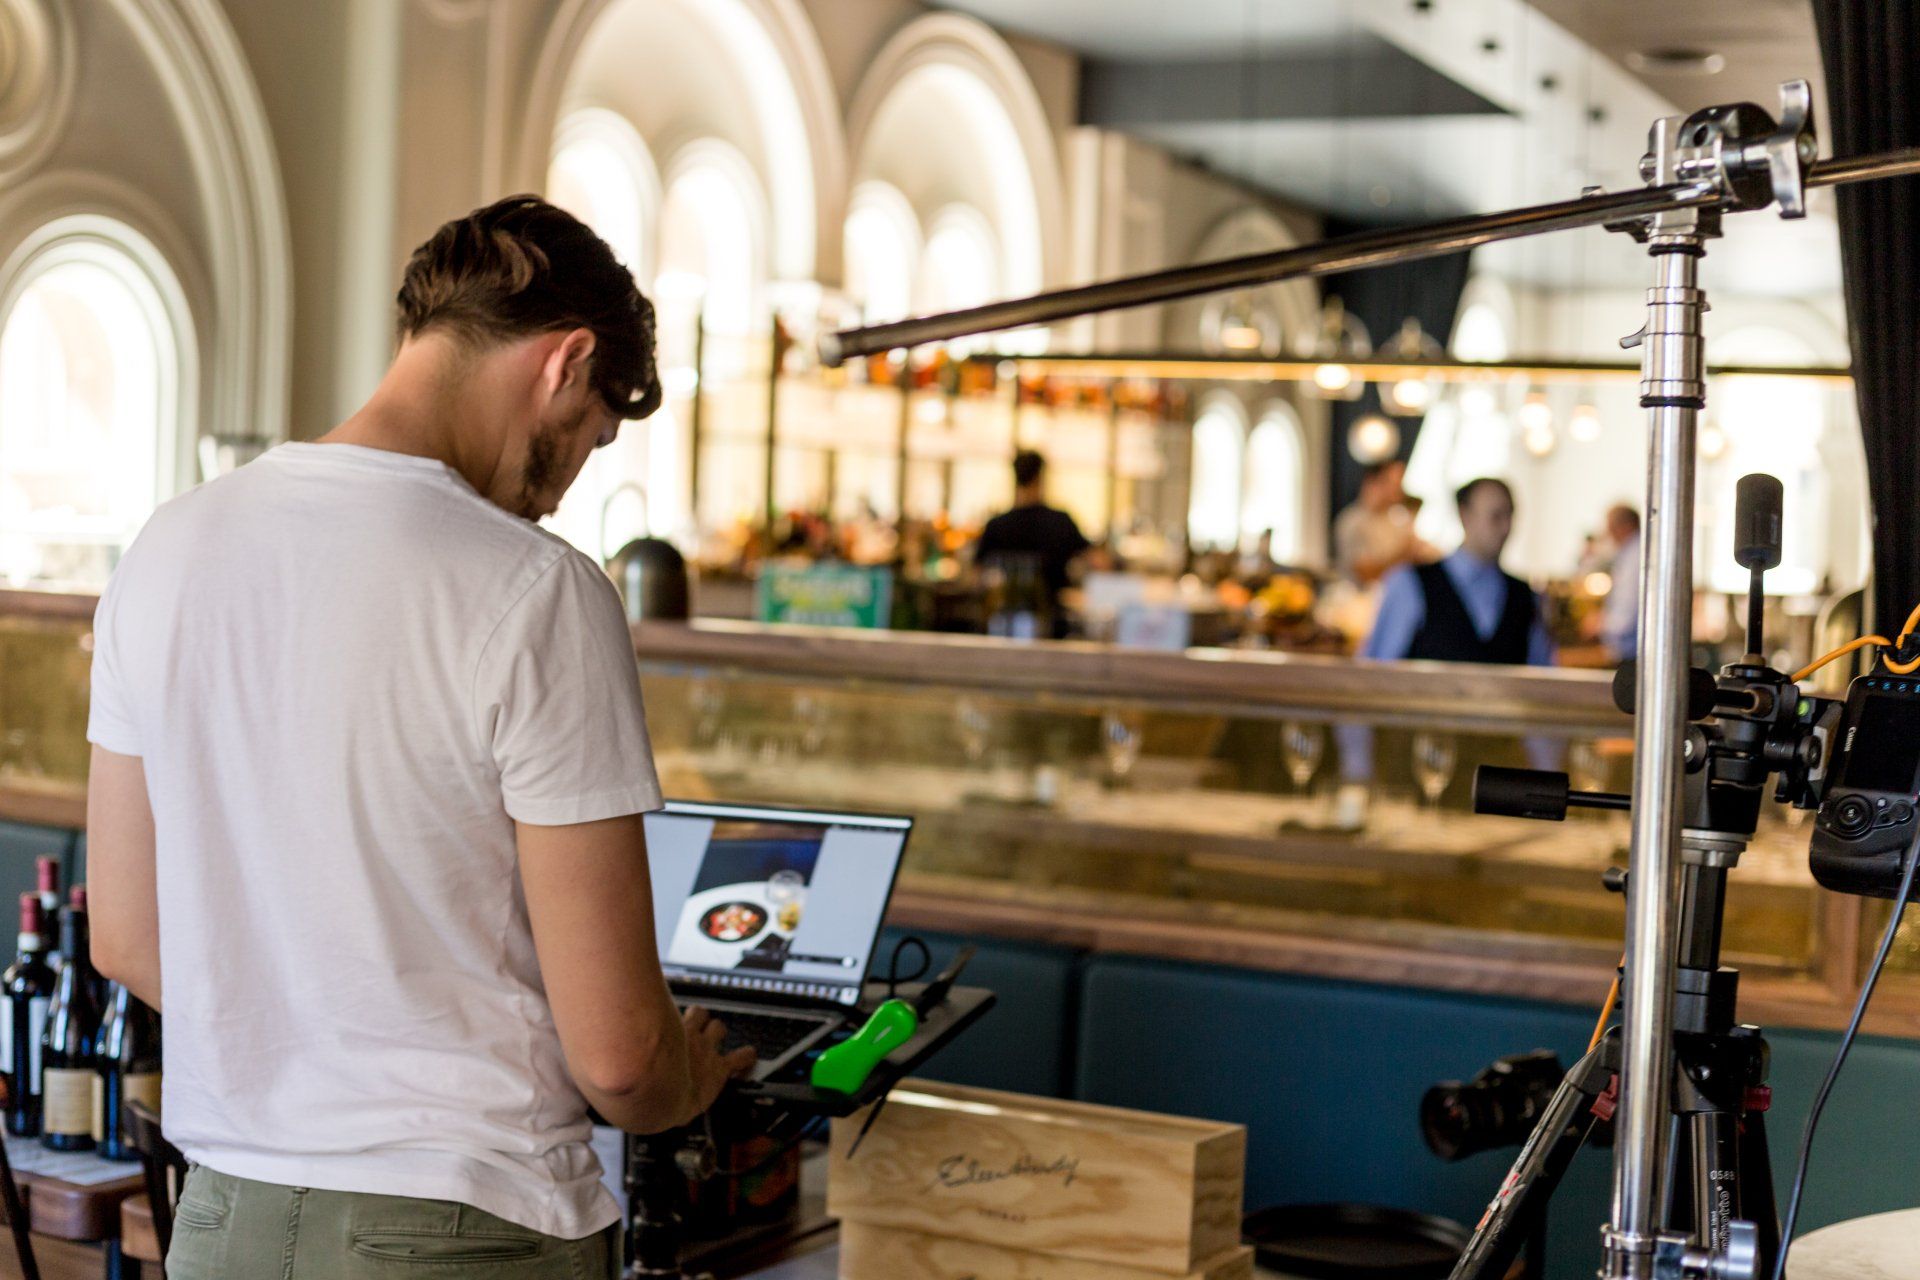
1867, 817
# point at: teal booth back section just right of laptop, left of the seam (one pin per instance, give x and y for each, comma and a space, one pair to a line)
1026, 1041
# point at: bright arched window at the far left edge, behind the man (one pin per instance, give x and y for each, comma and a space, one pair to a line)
95, 346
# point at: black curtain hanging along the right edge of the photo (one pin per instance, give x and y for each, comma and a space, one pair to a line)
1871, 51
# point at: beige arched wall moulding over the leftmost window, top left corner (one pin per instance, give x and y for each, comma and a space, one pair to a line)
145, 114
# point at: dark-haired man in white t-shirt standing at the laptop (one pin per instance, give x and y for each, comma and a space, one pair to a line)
368, 788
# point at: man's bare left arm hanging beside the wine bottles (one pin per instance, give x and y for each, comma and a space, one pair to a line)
122, 893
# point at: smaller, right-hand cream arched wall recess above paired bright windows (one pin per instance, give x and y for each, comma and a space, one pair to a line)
948, 116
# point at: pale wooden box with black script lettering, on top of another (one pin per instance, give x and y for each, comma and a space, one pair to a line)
1068, 1179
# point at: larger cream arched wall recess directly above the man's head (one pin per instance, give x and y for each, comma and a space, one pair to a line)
746, 72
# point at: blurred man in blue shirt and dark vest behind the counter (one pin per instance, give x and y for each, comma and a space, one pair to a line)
1464, 609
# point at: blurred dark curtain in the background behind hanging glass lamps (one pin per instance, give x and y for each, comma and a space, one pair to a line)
1383, 296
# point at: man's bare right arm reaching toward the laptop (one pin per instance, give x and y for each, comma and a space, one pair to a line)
590, 901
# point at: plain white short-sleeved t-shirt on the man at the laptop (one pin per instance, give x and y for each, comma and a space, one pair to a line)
348, 675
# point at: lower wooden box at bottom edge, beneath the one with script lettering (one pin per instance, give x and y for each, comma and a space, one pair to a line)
892, 1254
